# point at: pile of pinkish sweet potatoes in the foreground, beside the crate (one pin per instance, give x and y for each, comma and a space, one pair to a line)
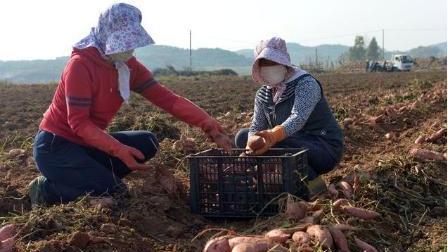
307, 233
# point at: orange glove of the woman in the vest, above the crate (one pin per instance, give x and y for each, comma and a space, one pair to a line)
270, 138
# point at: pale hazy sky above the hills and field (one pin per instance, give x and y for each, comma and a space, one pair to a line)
46, 28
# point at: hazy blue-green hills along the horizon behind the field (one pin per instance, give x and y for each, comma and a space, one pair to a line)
159, 56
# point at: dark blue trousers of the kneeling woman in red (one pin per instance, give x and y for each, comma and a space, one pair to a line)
71, 170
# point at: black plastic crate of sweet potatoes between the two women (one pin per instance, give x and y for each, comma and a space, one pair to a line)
223, 184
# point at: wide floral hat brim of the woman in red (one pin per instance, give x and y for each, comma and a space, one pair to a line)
129, 38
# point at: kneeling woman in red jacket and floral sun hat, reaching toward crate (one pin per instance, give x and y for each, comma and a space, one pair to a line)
72, 151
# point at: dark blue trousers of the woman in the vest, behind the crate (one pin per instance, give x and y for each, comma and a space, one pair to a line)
319, 158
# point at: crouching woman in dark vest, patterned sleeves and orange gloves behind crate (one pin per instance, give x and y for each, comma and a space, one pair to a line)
291, 111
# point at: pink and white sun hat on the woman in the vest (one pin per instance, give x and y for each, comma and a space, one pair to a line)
273, 49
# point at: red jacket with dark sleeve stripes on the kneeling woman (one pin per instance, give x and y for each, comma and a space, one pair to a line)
87, 98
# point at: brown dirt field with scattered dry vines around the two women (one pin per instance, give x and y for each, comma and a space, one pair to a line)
410, 194
